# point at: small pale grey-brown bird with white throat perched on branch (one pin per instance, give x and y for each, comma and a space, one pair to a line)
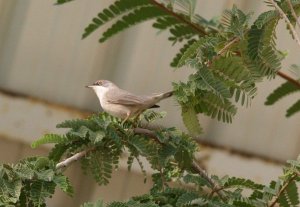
123, 104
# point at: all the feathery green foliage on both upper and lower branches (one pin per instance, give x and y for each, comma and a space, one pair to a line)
227, 59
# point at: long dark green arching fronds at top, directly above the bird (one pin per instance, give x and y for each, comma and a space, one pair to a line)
132, 12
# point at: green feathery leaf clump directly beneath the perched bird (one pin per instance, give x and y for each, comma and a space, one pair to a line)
106, 138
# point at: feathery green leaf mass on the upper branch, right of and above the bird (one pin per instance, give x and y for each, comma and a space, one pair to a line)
227, 57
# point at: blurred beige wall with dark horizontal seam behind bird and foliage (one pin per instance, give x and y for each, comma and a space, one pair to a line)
44, 66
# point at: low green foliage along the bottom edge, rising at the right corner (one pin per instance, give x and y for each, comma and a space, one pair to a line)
285, 189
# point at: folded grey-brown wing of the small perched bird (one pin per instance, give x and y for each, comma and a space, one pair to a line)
124, 98
